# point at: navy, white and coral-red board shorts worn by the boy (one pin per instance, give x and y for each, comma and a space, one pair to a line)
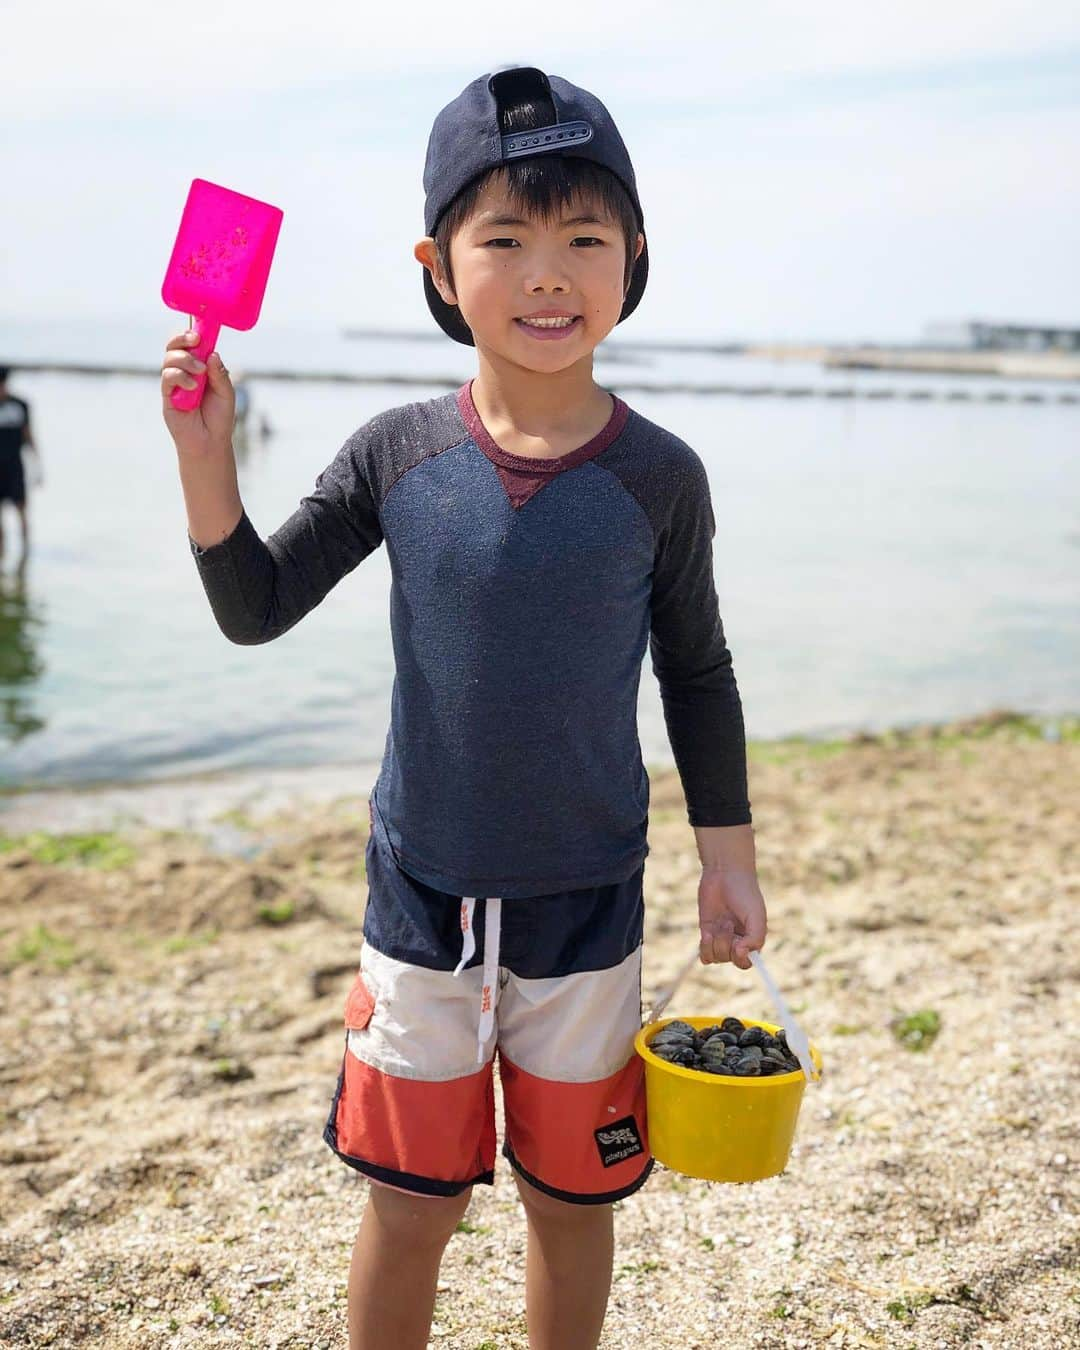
550, 985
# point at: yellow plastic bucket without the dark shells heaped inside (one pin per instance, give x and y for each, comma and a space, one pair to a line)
719, 1128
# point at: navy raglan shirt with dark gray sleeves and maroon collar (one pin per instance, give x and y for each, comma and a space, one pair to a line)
524, 596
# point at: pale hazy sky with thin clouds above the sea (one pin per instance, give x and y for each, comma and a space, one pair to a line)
834, 172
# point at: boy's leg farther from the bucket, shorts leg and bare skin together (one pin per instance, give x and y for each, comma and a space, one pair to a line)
414, 1109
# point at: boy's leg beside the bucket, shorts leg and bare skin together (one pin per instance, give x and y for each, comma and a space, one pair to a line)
574, 1094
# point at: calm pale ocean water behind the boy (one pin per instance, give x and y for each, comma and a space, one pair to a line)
877, 562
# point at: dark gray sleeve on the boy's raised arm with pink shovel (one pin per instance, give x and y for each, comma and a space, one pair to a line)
260, 591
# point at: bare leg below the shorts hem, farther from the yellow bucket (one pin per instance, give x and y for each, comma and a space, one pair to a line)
396, 1267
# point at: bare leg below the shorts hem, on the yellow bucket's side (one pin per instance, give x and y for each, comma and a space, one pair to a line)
568, 1271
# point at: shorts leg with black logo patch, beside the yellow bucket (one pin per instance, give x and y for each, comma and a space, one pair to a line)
574, 1089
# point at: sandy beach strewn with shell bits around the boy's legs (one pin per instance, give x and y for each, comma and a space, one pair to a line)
171, 1013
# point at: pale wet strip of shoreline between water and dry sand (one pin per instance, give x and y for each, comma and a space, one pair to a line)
213, 803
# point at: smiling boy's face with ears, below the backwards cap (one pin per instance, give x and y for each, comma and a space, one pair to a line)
506, 271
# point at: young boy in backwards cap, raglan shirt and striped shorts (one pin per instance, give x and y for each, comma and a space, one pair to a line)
542, 535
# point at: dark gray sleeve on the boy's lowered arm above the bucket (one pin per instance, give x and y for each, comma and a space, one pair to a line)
692, 659
